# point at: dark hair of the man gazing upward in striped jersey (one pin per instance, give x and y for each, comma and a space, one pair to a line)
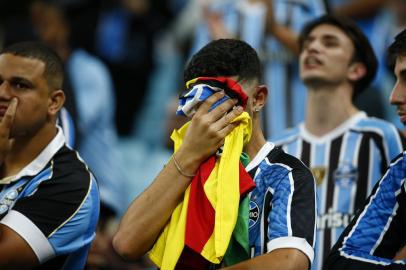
363, 50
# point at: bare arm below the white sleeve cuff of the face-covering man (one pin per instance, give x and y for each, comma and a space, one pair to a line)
288, 259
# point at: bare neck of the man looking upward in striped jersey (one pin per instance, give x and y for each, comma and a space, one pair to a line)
328, 107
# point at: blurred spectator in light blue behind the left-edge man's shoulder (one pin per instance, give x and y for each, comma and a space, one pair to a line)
93, 91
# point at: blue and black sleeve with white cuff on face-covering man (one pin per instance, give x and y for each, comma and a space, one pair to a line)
292, 220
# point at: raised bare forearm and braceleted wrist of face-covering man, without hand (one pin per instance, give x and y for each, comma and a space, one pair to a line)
148, 214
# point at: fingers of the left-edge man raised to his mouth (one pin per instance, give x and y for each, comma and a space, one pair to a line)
5, 127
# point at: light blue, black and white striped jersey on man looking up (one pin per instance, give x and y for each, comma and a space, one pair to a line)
346, 164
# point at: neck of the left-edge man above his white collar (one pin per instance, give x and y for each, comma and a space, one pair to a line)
26, 149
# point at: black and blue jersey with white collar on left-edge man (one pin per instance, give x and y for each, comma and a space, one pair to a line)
53, 204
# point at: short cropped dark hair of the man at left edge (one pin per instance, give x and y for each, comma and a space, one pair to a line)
53, 72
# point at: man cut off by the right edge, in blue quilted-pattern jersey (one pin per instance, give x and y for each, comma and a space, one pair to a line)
376, 237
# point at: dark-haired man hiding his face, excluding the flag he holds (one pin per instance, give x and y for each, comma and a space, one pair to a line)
282, 218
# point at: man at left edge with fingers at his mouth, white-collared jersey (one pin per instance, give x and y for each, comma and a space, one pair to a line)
49, 202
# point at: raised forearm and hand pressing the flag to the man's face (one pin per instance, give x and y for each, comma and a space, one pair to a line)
139, 229
